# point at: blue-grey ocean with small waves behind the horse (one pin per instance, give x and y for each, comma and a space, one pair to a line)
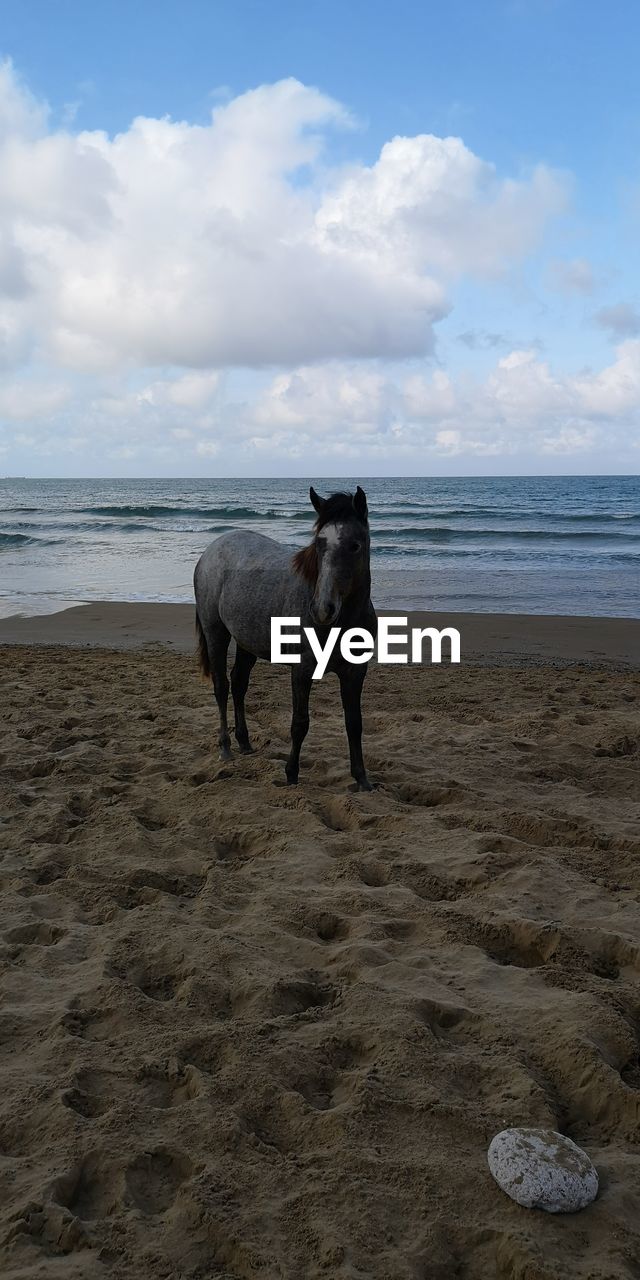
560, 546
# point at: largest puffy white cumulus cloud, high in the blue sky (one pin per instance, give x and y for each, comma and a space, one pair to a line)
232, 244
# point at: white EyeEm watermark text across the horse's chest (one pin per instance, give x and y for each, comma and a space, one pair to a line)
396, 643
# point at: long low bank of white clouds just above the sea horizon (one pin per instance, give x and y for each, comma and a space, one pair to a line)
332, 415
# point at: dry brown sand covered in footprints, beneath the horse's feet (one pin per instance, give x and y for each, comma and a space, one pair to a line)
255, 1030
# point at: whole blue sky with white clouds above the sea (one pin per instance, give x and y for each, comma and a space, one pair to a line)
319, 239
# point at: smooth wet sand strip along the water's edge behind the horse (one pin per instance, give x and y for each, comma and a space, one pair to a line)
505, 639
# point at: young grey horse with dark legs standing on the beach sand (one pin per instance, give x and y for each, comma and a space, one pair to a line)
245, 579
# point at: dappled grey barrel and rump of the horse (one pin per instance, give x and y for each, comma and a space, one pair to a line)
243, 579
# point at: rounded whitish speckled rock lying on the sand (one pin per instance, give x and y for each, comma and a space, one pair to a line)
542, 1169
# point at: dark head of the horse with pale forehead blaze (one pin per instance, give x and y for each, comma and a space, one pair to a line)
337, 561
